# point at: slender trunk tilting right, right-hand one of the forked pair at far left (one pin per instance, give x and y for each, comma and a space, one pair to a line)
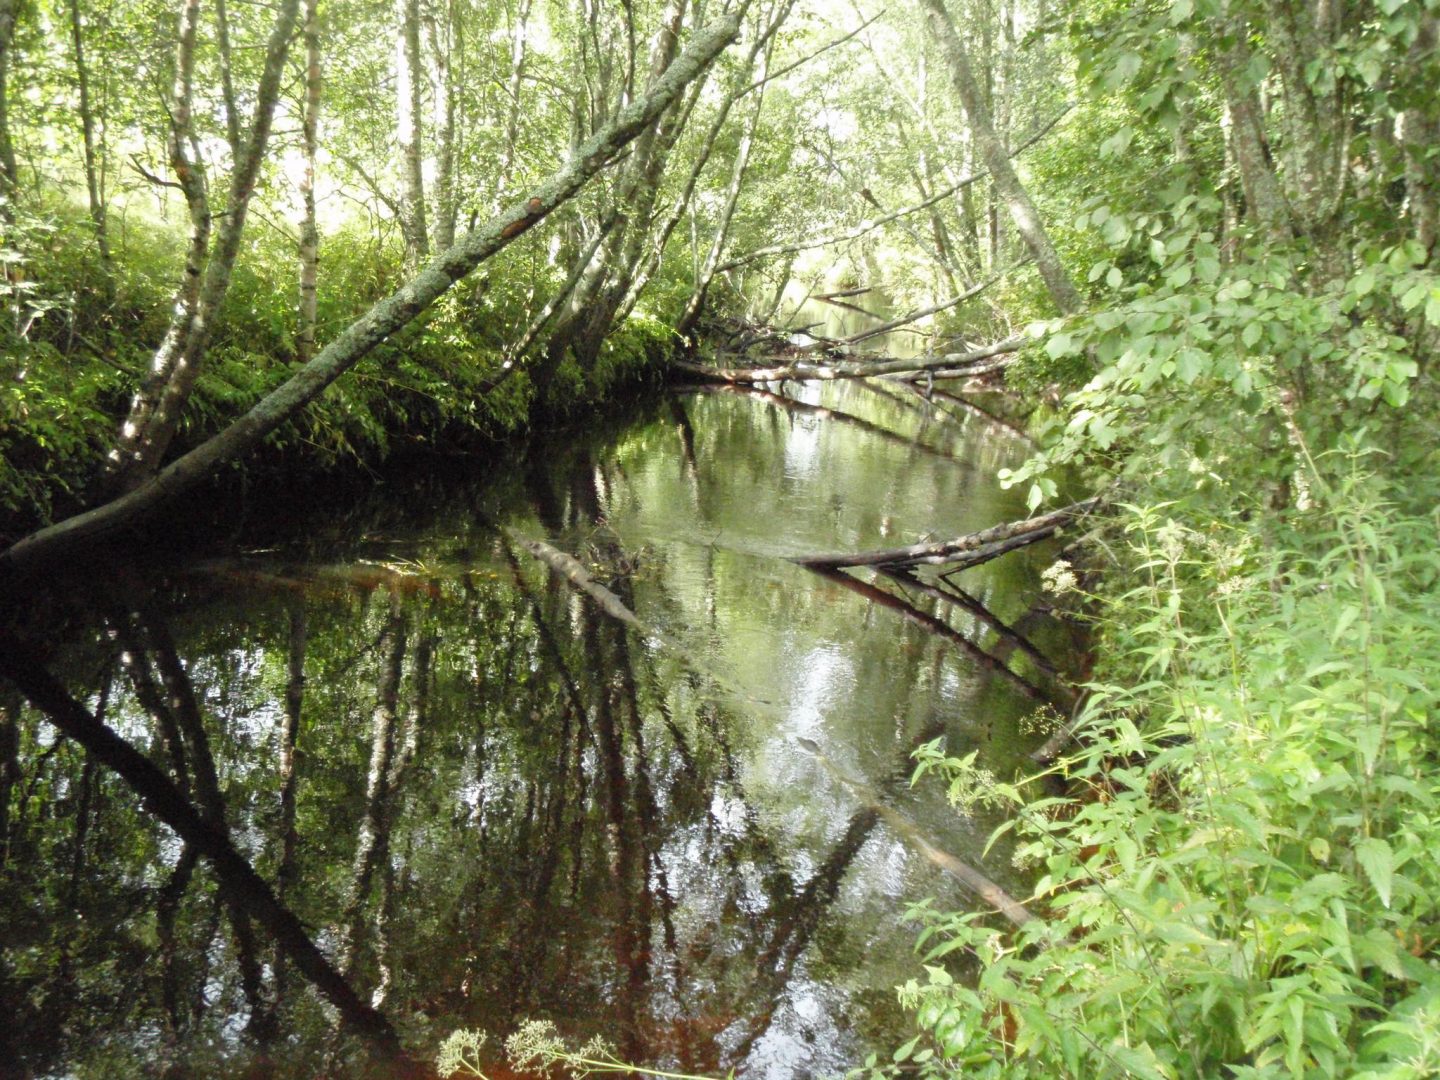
155, 440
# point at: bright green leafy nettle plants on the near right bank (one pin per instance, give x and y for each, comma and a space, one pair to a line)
1241, 879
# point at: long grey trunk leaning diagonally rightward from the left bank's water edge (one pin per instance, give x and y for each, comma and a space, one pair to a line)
387, 318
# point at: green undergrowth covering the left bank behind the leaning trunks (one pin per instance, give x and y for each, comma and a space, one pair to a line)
70, 361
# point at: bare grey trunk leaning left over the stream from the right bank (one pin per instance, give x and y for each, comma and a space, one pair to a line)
997, 161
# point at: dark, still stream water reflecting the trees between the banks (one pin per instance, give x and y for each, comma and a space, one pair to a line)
506, 804
